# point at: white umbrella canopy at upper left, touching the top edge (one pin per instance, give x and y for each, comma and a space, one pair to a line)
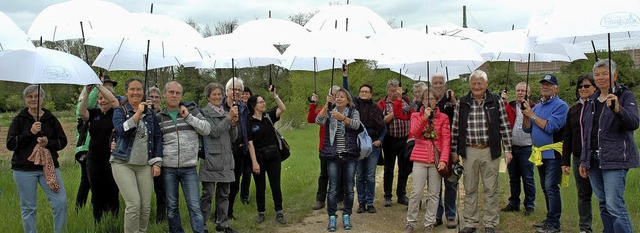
62, 21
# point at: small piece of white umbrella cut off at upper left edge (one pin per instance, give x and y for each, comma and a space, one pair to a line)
12, 37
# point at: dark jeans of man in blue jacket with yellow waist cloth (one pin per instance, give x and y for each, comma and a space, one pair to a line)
550, 175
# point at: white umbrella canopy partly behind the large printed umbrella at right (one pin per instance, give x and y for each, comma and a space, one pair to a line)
515, 45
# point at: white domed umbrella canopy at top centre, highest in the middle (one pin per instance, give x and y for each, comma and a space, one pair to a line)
352, 18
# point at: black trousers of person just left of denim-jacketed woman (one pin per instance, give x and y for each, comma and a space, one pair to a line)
104, 191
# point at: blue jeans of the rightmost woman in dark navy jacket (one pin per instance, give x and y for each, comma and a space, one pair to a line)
609, 186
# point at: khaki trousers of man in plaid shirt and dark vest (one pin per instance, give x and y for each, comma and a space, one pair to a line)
479, 165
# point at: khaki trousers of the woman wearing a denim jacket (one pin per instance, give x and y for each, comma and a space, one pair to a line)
136, 184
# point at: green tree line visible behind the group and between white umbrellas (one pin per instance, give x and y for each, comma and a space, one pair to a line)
295, 86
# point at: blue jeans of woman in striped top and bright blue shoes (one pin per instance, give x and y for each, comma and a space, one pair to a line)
341, 169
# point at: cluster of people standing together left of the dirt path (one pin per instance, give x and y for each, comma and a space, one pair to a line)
131, 141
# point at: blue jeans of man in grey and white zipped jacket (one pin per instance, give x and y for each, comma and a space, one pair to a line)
187, 177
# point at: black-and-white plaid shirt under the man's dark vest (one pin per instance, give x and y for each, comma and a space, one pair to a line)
478, 126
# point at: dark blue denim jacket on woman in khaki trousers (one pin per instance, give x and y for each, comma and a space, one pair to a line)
125, 133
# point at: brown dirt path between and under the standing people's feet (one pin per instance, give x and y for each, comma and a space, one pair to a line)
387, 219
